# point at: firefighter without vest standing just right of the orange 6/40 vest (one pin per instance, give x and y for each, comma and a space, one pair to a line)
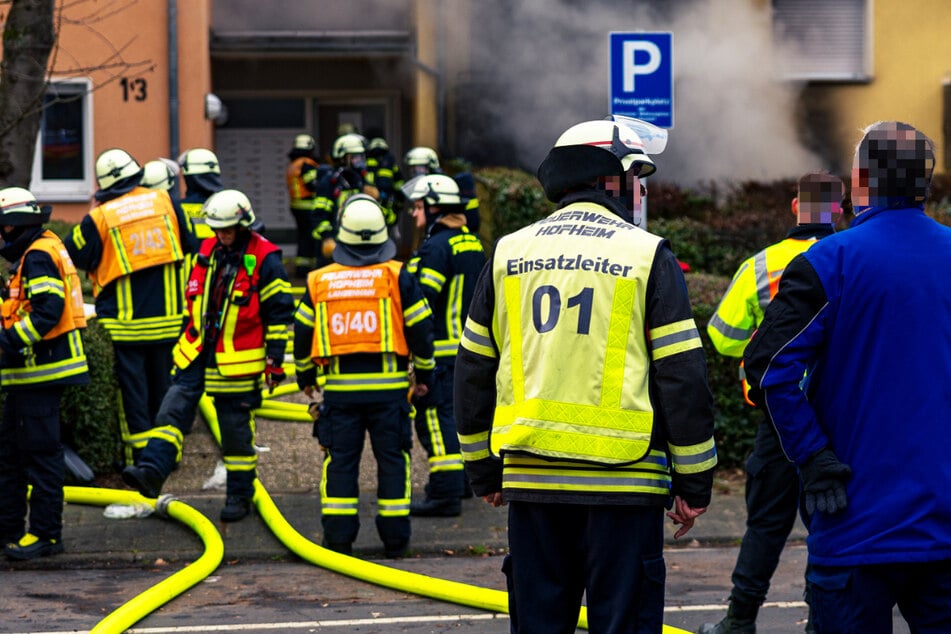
447, 265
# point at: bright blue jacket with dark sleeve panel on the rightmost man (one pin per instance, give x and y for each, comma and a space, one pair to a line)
868, 313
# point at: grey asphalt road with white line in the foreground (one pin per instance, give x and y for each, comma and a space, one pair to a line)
292, 596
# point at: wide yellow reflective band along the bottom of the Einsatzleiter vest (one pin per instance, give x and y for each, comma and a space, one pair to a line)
571, 430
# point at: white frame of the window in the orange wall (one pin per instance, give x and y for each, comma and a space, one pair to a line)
73, 189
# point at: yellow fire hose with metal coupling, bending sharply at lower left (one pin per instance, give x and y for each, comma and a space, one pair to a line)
140, 606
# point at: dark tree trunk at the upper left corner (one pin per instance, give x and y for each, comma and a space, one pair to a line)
28, 38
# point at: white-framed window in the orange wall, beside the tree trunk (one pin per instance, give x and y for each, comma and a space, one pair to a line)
62, 162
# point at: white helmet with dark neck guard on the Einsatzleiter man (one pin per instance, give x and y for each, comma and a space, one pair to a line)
591, 150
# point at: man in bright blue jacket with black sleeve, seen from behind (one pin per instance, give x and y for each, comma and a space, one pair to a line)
866, 314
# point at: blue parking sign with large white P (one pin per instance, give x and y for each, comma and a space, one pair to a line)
642, 76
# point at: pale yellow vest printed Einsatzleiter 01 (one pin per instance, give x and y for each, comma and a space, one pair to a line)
573, 350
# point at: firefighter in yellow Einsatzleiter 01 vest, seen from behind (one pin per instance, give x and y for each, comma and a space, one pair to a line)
581, 397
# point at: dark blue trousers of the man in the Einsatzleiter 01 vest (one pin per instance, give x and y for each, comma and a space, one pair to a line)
559, 552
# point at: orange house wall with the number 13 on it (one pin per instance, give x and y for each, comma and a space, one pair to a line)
132, 44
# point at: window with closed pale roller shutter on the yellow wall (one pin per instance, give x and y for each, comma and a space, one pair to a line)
821, 40
